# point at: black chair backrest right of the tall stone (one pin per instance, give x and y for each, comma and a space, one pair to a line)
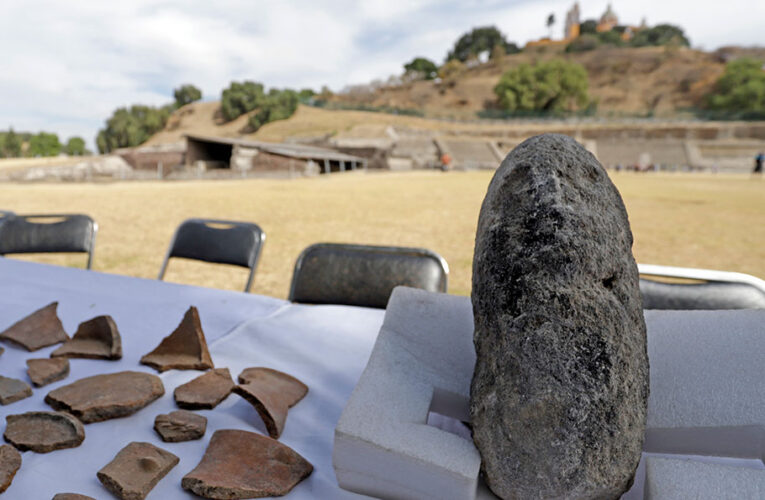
705, 295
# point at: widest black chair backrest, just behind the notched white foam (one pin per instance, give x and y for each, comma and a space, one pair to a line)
363, 275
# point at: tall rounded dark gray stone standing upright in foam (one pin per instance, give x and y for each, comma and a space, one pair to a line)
560, 388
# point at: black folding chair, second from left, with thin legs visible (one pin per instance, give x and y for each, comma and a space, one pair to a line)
218, 241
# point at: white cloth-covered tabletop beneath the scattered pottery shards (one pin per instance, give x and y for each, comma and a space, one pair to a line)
327, 347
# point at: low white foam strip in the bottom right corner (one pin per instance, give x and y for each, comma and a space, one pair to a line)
673, 479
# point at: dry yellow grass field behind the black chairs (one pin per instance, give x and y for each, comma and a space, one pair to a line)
693, 220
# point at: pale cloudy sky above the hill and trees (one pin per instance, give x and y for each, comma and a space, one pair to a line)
66, 66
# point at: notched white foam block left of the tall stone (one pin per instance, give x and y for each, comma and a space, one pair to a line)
423, 360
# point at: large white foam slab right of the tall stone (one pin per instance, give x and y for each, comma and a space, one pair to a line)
707, 383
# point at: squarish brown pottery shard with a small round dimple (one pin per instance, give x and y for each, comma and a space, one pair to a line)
136, 469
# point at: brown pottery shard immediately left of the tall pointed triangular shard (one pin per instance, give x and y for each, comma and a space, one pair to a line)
97, 338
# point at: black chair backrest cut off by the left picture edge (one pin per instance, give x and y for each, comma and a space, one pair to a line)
48, 233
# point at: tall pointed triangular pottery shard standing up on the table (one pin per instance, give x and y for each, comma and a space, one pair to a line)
184, 349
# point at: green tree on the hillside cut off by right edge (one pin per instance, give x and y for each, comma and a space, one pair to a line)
741, 88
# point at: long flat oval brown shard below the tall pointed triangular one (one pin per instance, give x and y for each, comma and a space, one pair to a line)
102, 397
